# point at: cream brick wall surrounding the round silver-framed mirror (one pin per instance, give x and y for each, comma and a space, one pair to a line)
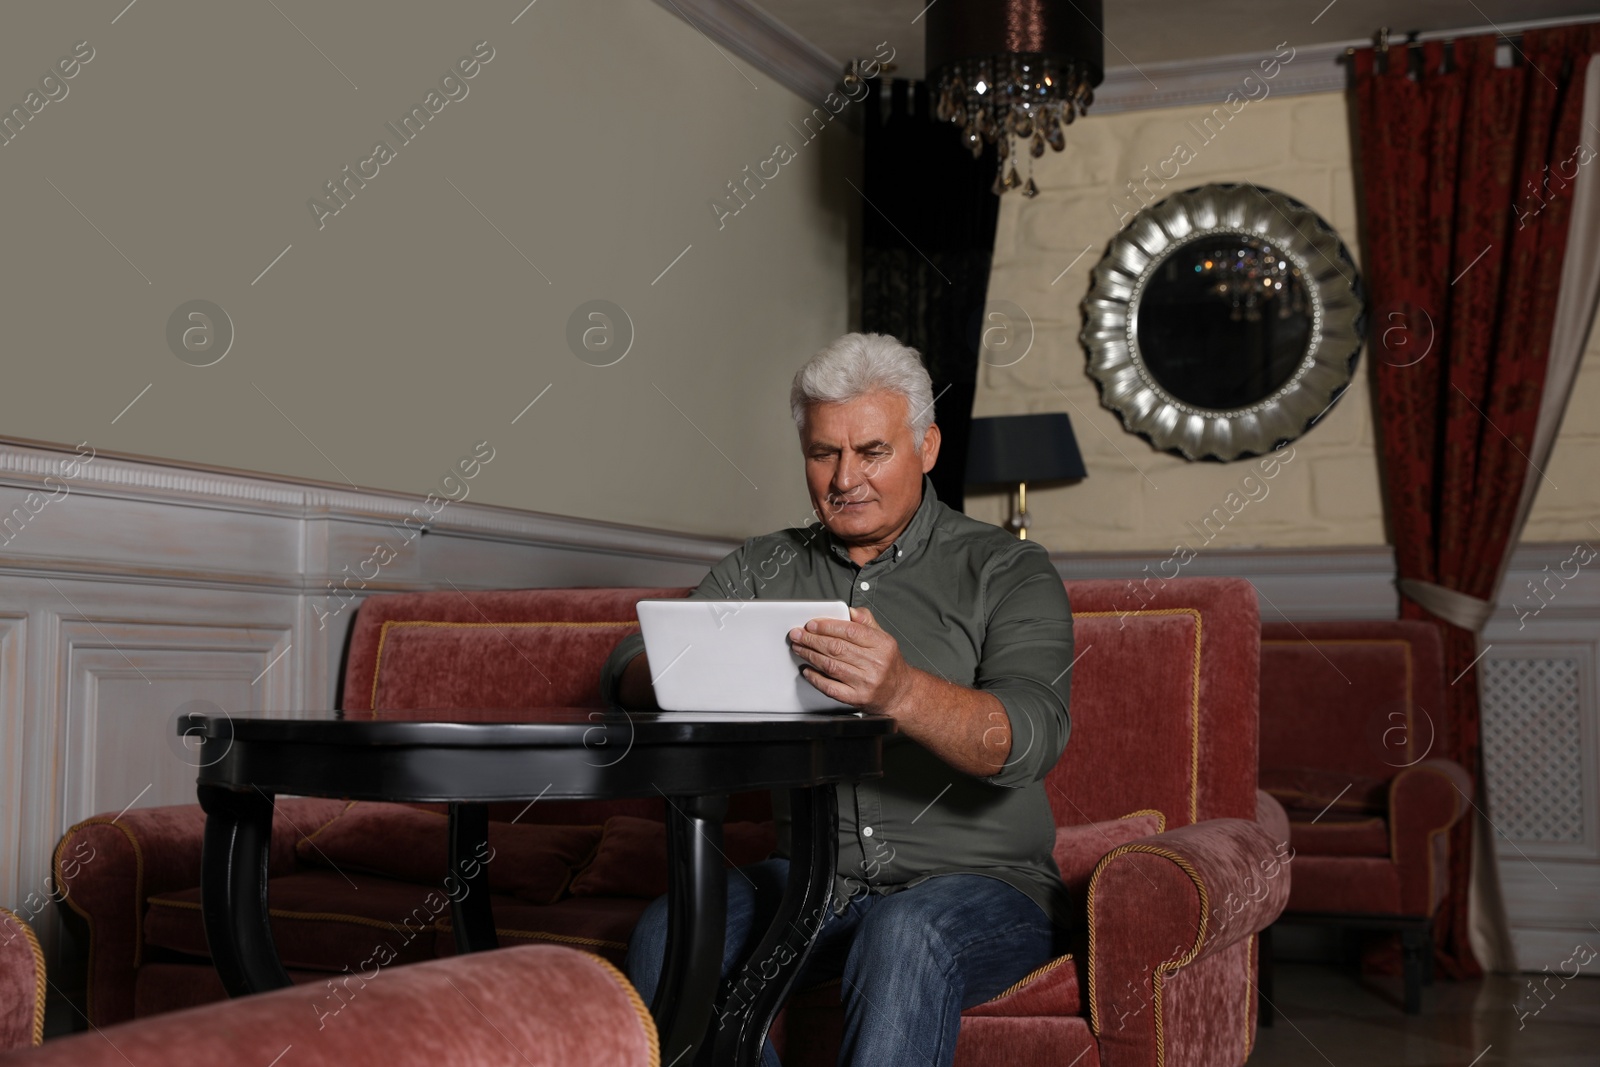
1140, 500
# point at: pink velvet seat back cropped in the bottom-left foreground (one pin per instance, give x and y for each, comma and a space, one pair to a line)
532, 1007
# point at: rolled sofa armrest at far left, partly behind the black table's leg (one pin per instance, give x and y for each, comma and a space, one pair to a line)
108, 868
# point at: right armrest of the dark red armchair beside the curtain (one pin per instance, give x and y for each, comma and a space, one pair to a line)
1425, 802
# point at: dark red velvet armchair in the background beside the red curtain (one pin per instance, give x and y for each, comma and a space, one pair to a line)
1350, 717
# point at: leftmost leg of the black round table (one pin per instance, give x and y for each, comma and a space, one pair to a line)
234, 890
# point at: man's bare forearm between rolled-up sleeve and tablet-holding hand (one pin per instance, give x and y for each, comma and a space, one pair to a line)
967, 729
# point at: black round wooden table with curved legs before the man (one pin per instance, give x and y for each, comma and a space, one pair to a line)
471, 759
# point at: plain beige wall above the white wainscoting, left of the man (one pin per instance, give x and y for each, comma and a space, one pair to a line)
407, 329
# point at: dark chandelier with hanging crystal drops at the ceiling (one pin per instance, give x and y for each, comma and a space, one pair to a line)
1015, 73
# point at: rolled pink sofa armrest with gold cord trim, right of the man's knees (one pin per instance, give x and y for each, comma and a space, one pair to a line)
1170, 901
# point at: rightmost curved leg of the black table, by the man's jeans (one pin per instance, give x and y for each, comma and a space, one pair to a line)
751, 1002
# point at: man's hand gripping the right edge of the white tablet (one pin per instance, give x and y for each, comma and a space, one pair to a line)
855, 663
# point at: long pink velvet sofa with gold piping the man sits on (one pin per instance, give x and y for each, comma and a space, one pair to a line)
1161, 831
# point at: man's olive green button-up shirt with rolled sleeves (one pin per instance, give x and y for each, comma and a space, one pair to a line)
977, 607
